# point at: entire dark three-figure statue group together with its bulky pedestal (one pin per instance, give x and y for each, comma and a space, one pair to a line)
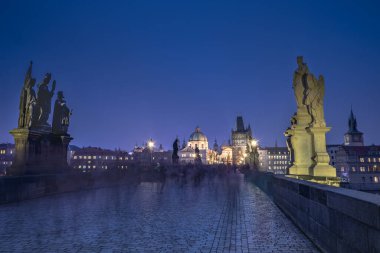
39, 148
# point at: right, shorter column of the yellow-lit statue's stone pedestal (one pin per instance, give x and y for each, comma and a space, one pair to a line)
321, 167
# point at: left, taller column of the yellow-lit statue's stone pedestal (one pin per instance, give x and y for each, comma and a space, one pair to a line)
300, 140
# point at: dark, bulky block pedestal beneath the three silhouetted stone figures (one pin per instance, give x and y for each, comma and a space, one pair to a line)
38, 151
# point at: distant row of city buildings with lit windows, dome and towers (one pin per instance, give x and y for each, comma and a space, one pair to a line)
355, 162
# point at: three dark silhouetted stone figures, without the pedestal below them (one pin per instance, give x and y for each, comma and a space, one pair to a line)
35, 108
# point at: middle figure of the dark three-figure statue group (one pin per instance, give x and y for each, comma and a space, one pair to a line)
44, 97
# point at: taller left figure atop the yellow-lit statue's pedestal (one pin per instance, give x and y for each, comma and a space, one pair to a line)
298, 81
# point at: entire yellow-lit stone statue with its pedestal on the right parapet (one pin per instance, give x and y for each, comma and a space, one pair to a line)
306, 137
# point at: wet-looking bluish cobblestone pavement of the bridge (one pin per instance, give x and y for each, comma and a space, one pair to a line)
217, 215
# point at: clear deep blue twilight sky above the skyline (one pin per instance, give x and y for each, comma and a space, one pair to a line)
132, 70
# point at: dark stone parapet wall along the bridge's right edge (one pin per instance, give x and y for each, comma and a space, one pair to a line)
335, 219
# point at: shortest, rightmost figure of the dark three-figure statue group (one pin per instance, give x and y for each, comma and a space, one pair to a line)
61, 115
